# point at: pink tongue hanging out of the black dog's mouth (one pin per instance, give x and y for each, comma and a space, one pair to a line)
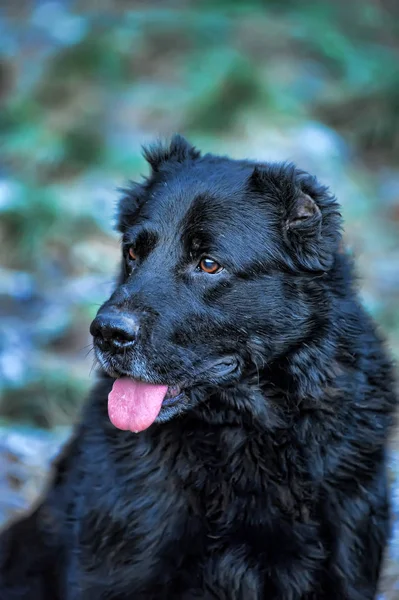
133, 405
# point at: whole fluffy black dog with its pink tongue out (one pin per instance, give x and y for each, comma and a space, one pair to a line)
235, 344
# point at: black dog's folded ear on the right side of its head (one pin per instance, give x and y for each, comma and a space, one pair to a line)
310, 217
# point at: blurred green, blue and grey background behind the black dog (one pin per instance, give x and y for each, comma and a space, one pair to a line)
83, 84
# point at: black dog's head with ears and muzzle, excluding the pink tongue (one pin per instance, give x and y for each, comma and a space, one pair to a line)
220, 266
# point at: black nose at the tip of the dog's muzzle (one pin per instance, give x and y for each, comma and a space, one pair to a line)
113, 329
